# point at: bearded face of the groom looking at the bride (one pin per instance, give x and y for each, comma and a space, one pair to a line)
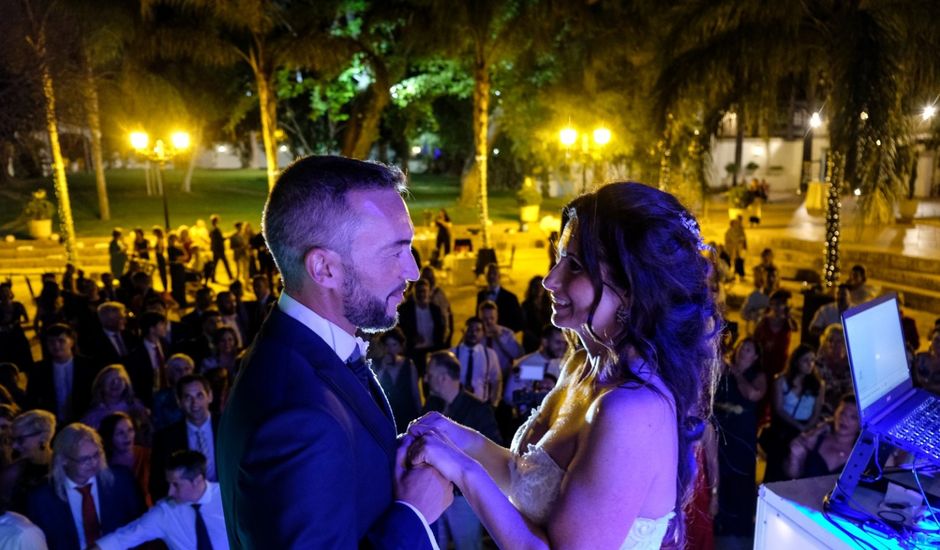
380, 262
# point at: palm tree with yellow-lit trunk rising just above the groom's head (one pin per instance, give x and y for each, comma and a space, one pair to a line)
266, 36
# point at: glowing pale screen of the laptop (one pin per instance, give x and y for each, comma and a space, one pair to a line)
876, 349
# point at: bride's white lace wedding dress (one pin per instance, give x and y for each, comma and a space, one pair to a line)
535, 481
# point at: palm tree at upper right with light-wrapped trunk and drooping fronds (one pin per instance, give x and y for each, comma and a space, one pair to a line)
867, 59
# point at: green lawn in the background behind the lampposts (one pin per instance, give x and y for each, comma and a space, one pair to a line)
232, 194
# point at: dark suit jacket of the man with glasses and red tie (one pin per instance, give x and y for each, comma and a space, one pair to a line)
120, 503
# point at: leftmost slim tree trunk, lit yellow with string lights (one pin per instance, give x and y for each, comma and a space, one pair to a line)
67, 225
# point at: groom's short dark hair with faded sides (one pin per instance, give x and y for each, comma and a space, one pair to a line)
307, 208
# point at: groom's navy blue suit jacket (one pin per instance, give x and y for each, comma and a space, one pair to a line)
305, 455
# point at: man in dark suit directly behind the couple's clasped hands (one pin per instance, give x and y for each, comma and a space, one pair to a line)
447, 397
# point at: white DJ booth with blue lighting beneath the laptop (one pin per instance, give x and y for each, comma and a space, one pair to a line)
791, 515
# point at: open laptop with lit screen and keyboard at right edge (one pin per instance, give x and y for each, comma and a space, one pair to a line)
889, 405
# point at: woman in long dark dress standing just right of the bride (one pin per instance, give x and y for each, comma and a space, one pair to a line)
742, 385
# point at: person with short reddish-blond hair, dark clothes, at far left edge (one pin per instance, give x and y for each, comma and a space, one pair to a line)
31, 436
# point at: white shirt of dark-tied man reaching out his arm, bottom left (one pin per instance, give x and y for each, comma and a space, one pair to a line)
174, 523
